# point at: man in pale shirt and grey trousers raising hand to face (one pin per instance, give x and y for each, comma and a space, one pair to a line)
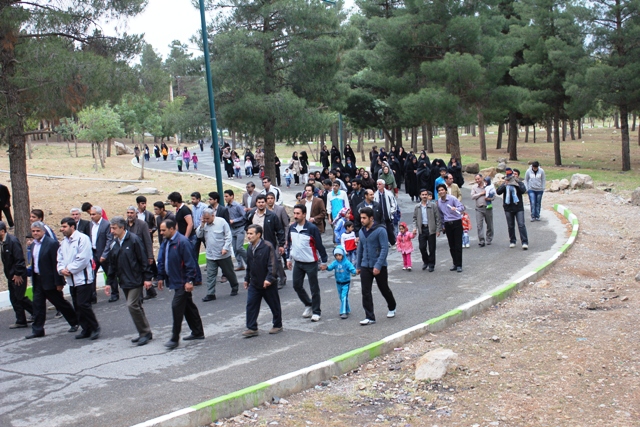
217, 237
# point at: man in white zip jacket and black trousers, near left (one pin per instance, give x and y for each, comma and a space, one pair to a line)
74, 264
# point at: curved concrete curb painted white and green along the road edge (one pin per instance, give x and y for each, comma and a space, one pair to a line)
234, 403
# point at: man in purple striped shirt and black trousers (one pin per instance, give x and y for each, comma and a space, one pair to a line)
451, 213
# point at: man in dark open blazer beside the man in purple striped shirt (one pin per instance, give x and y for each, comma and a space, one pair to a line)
426, 219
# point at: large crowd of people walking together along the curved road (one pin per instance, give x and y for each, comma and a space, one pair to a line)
359, 207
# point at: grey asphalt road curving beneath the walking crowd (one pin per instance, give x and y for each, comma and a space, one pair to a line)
60, 381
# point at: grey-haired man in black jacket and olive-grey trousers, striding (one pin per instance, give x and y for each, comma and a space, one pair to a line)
129, 266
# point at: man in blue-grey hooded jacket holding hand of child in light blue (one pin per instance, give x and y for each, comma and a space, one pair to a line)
371, 264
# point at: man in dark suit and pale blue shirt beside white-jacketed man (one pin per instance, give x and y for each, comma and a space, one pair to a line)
47, 283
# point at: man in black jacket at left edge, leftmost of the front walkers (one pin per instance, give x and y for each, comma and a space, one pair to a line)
15, 270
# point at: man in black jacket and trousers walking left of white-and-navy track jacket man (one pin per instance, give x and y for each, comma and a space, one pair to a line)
260, 281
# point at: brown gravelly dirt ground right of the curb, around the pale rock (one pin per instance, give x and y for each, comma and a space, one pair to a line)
562, 352
